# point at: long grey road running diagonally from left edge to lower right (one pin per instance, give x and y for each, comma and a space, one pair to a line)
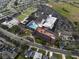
22, 40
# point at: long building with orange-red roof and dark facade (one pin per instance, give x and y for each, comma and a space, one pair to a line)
48, 36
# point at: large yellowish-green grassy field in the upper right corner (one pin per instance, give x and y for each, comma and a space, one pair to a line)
67, 10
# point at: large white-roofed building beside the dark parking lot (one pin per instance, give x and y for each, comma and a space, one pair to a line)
49, 22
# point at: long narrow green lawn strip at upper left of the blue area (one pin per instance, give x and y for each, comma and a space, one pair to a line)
26, 13
